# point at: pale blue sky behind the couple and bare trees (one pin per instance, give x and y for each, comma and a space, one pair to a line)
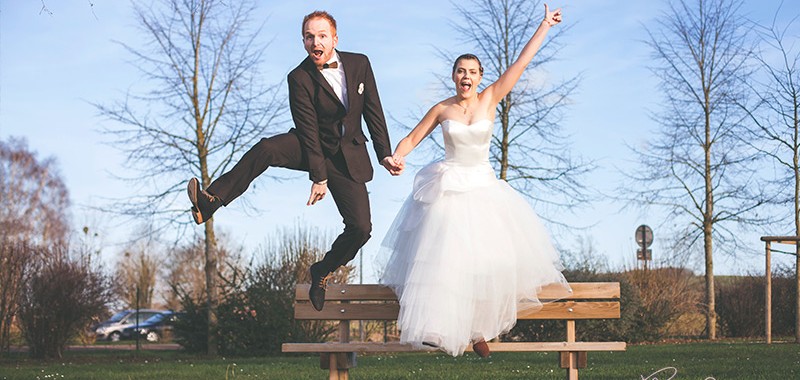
53, 64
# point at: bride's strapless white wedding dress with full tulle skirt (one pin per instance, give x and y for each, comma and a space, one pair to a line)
465, 248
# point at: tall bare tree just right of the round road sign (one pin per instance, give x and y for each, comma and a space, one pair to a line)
696, 168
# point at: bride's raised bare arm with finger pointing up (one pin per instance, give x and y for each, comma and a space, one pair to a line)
499, 89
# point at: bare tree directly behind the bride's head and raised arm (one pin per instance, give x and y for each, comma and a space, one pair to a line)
530, 150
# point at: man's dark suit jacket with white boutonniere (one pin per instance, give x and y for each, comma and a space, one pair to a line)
318, 115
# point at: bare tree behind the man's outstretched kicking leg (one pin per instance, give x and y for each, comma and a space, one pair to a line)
204, 108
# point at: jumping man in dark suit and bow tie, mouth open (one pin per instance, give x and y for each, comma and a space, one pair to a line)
329, 92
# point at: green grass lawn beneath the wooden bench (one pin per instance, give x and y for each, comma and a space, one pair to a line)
718, 360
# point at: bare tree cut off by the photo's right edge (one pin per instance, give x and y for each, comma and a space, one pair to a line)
777, 119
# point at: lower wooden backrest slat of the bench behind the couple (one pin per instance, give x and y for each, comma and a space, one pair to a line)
389, 311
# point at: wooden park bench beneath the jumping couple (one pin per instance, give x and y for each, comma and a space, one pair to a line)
345, 303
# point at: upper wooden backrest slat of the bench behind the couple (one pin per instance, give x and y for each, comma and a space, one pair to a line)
355, 292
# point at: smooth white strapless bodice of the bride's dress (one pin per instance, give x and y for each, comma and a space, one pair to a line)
467, 144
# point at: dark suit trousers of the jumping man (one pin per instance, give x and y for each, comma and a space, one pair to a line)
284, 150
